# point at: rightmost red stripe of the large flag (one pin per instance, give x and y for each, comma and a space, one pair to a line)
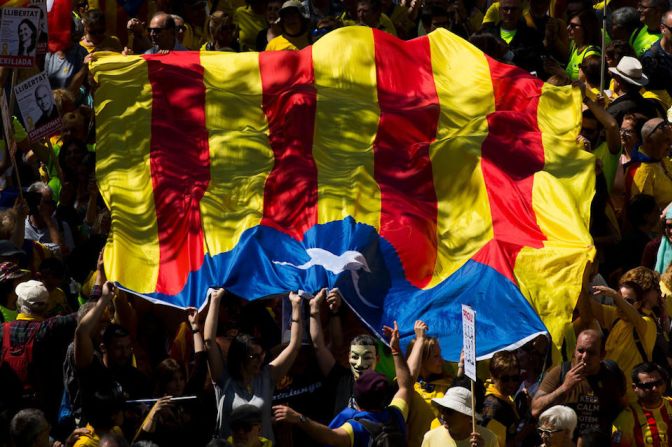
510, 155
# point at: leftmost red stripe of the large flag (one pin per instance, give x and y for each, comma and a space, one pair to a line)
180, 164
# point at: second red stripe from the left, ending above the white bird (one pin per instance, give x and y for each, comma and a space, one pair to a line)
289, 102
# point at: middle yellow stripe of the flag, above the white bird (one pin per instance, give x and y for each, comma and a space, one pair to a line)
345, 128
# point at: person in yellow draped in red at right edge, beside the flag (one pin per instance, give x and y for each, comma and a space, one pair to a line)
651, 164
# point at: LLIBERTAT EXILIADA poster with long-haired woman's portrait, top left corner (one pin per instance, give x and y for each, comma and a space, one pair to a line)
19, 33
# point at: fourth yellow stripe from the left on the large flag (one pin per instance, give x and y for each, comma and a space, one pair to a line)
464, 224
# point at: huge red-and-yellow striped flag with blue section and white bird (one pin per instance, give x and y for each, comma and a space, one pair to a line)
414, 176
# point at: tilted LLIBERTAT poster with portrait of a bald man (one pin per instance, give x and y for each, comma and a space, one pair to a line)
39, 114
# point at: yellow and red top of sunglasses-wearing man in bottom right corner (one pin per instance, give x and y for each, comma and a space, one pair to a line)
636, 421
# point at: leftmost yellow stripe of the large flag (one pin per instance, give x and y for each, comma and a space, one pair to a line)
123, 170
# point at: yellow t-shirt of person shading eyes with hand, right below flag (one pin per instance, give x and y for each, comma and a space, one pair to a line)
621, 346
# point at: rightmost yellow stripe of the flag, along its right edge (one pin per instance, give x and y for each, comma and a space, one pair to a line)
565, 185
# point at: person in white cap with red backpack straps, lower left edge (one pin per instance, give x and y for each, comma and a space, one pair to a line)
37, 347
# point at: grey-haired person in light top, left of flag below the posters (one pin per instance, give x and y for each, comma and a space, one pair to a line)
41, 224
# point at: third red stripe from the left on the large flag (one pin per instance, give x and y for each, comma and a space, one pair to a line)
409, 114
